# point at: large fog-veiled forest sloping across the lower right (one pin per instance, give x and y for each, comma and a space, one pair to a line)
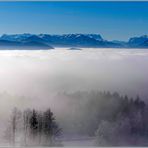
113, 119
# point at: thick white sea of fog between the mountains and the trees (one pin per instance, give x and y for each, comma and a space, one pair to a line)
35, 76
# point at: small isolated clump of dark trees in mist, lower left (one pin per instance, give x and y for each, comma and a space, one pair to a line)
33, 128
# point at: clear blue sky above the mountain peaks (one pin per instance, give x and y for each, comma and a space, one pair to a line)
113, 20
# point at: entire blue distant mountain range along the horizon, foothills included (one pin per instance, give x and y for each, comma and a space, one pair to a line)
47, 41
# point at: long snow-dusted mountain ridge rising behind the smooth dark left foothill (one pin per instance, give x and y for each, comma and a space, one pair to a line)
65, 40
